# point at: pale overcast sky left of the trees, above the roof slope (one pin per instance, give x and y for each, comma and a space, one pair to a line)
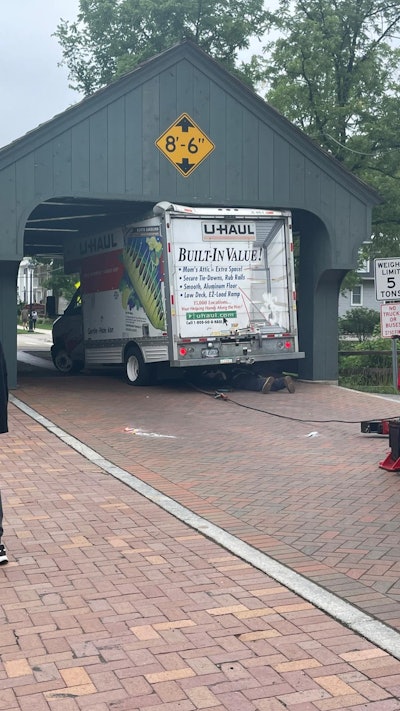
33, 88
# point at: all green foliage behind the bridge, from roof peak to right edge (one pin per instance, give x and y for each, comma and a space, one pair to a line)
333, 71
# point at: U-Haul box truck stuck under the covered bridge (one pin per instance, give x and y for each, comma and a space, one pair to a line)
187, 286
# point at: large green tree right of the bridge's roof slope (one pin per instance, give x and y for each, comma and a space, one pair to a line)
334, 72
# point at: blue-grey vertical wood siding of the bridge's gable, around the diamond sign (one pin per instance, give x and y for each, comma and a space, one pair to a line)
105, 147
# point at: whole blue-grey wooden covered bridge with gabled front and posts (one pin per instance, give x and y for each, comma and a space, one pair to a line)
98, 165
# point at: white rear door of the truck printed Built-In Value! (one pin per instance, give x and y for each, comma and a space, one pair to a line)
223, 286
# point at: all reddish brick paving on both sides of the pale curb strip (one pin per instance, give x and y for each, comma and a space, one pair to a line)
111, 603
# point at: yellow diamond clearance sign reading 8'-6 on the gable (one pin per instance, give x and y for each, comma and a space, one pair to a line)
185, 145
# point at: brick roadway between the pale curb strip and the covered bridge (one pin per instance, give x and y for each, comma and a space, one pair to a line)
319, 504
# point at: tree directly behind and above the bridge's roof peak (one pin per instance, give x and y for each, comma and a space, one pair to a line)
111, 37
